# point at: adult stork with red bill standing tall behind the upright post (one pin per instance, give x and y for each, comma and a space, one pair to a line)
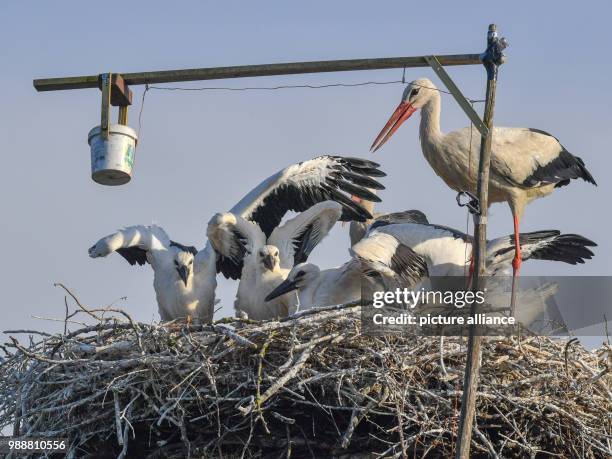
525, 163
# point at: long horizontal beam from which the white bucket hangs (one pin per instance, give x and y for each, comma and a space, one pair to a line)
290, 68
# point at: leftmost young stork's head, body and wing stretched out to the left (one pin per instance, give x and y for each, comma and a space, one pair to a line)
184, 278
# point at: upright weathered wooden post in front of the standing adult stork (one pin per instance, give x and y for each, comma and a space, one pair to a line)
491, 59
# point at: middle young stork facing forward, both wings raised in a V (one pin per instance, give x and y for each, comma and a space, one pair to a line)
266, 261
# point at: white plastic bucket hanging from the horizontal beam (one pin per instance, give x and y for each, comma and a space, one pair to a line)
112, 160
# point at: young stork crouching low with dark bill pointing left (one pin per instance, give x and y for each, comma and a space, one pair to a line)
380, 257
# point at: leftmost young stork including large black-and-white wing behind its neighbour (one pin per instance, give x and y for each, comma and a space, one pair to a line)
296, 187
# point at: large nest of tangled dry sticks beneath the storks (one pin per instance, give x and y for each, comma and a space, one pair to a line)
311, 385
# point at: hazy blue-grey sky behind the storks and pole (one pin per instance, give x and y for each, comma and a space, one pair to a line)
200, 152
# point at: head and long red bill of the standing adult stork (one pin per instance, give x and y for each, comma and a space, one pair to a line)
415, 96
